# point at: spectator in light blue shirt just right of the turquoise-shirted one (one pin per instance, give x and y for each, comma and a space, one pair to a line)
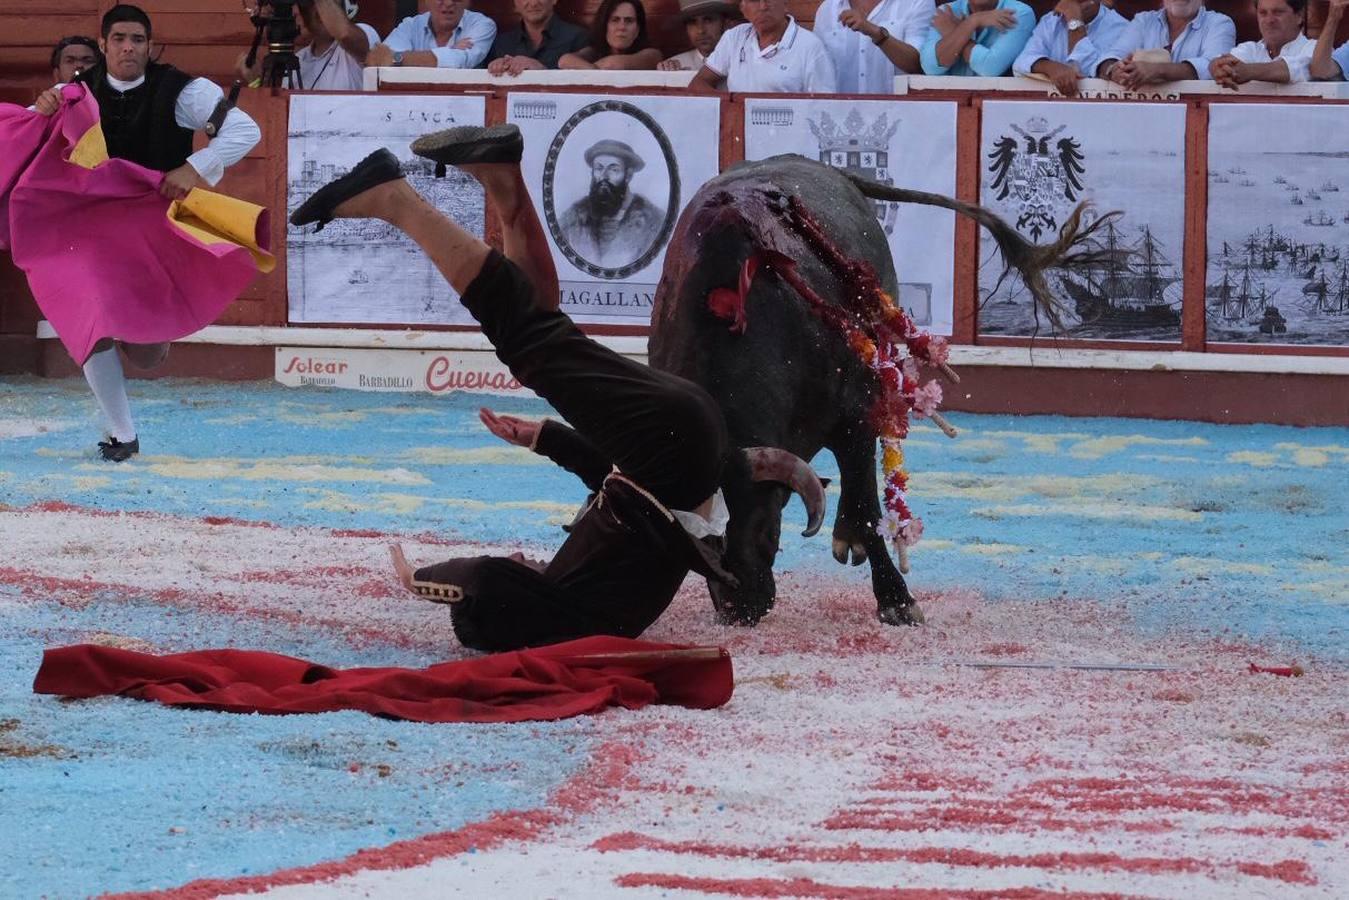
1069, 43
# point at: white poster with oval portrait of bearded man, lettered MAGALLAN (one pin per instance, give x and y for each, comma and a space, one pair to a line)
610, 179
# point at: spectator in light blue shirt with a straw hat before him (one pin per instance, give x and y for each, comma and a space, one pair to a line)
1192, 36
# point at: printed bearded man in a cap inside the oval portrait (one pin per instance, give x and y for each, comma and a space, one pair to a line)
612, 226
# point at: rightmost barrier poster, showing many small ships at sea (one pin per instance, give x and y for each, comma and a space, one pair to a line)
1278, 226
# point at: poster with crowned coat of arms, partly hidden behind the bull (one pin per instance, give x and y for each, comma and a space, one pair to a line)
896, 142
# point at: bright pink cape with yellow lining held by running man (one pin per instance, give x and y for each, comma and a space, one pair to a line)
102, 253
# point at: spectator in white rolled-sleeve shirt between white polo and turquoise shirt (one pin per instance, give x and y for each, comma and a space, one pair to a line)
873, 41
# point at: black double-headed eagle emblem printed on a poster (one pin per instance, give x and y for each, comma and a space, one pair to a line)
1043, 175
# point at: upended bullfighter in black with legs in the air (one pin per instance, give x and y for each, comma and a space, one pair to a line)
651, 446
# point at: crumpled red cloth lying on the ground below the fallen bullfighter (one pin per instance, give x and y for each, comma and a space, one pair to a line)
555, 682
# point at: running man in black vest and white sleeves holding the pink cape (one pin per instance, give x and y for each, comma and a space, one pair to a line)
150, 115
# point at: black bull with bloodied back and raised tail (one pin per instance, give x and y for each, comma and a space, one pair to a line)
791, 380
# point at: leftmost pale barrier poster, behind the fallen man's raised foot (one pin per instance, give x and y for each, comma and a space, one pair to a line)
366, 271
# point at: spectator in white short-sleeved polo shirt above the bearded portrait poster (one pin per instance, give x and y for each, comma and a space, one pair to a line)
770, 55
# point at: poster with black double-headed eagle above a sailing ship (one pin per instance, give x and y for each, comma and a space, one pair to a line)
1039, 161
